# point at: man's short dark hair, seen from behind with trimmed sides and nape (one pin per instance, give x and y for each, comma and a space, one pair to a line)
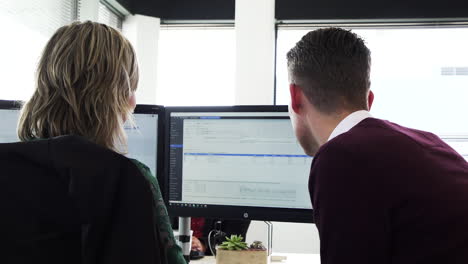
332, 66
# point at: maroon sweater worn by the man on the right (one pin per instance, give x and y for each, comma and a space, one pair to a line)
383, 193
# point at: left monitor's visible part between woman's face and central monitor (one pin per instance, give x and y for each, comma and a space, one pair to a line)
143, 139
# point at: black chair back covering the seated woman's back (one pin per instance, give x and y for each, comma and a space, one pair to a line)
66, 200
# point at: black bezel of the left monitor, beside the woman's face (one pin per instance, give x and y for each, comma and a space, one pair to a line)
160, 148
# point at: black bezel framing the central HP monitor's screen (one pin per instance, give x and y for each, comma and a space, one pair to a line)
230, 212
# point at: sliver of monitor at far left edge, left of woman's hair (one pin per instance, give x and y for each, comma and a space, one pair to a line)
9, 114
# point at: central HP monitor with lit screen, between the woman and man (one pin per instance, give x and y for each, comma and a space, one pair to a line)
240, 162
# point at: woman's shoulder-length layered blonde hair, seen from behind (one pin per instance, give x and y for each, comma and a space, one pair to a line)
85, 77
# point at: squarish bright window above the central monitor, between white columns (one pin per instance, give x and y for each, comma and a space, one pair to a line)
196, 66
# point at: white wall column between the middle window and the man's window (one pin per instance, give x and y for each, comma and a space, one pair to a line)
255, 51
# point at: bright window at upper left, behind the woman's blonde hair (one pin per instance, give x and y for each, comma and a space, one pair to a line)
27, 25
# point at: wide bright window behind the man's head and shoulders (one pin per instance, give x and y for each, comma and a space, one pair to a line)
419, 76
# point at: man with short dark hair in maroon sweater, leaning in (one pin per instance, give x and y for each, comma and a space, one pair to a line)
381, 193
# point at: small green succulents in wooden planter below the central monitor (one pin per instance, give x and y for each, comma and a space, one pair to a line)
235, 251
